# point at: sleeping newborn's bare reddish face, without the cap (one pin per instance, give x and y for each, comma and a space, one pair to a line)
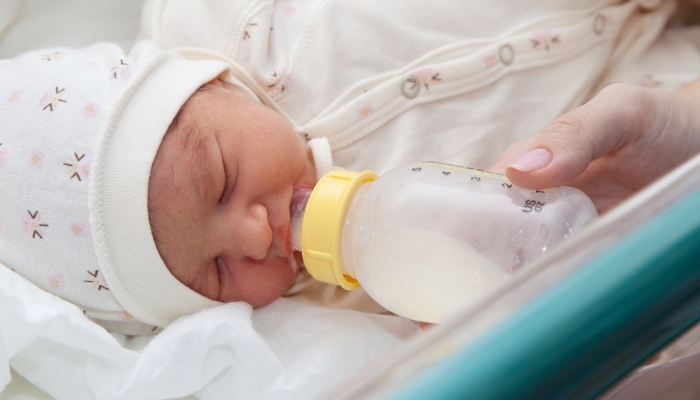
219, 196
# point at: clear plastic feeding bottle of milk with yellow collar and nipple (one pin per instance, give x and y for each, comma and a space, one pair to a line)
426, 239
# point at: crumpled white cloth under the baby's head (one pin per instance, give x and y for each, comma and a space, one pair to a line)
286, 350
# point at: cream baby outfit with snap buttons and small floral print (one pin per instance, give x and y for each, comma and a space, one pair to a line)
375, 85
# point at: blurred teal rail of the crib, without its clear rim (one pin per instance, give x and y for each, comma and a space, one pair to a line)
581, 336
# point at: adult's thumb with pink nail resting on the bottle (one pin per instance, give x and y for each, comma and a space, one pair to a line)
565, 148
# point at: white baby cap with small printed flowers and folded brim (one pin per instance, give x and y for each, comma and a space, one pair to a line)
79, 129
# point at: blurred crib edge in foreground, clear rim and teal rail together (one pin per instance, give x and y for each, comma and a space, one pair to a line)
576, 323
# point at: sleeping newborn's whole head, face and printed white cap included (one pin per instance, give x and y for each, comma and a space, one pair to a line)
94, 143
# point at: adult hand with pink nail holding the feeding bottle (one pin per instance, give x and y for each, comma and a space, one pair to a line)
621, 140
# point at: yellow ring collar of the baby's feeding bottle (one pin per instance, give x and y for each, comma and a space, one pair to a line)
323, 224
